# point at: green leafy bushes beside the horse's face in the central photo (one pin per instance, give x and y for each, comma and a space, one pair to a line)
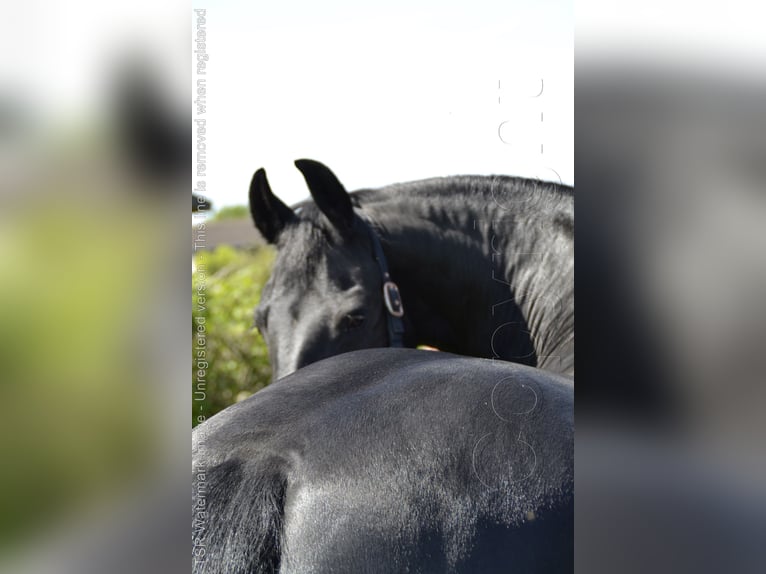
237, 360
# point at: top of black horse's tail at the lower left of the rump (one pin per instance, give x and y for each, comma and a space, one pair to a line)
238, 516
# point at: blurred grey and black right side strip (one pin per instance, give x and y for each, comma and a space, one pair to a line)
670, 286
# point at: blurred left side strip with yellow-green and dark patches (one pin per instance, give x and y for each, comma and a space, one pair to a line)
94, 152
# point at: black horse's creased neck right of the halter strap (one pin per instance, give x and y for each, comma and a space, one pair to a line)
479, 282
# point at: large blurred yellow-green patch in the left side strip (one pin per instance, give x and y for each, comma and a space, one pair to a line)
78, 411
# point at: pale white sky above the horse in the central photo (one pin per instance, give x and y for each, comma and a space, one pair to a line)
388, 93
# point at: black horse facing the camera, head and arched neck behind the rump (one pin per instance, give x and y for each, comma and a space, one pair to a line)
483, 264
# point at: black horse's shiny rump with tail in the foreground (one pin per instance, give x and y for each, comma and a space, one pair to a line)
389, 460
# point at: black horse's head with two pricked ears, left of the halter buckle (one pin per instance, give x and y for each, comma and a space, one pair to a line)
323, 297
